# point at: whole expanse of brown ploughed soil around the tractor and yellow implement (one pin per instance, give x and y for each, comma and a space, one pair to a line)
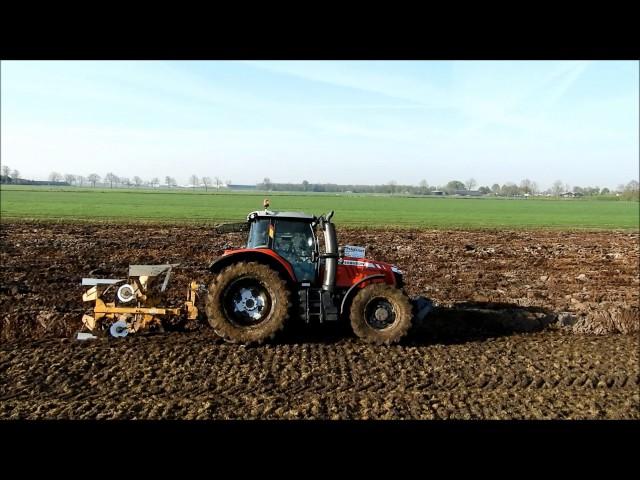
527, 324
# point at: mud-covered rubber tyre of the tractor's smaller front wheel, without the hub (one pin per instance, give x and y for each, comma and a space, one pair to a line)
370, 297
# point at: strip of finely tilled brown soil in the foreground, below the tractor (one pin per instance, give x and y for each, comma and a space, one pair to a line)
193, 376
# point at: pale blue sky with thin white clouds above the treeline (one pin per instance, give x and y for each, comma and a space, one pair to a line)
346, 122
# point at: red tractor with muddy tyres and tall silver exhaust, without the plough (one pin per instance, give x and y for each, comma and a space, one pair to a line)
284, 271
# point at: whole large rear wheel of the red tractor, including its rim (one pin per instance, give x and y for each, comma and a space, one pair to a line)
247, 303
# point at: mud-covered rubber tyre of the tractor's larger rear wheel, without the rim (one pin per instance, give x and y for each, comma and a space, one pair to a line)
218, 313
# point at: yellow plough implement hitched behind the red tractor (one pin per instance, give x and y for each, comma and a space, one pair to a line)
136, 305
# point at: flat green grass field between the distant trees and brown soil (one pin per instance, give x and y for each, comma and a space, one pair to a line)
130, 205
